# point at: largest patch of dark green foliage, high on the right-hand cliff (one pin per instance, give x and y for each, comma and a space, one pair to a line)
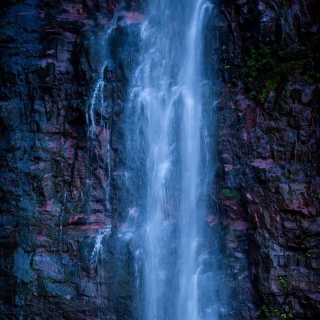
265, 66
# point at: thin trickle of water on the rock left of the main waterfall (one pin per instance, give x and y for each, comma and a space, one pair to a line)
99, 131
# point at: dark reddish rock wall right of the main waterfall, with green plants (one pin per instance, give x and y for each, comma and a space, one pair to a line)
269, 147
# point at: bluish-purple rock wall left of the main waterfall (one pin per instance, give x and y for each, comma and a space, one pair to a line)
54, 178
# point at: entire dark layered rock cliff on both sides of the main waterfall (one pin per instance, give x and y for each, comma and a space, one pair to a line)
56, 170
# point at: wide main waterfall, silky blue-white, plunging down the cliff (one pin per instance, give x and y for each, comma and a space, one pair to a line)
168, 157
